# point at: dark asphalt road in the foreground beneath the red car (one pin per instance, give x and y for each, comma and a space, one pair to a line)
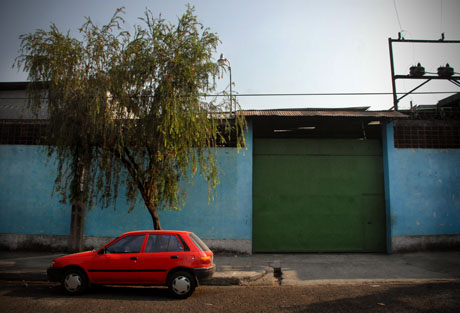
352, 297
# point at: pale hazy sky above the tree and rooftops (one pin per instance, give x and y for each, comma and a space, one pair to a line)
282, 47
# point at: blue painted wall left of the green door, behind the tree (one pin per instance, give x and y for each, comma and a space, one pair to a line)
26, 205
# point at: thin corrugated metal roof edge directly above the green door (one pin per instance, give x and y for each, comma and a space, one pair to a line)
323, 113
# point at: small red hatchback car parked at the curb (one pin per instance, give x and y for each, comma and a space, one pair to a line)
177, 259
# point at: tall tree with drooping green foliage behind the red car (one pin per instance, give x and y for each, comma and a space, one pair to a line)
129, 109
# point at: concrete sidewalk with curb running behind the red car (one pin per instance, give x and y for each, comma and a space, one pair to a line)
285, 269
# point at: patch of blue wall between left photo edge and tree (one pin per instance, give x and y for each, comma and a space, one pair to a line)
26, 183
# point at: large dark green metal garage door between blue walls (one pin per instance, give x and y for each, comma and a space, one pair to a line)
316, 195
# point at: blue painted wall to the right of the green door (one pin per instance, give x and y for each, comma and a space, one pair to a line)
422, 188
